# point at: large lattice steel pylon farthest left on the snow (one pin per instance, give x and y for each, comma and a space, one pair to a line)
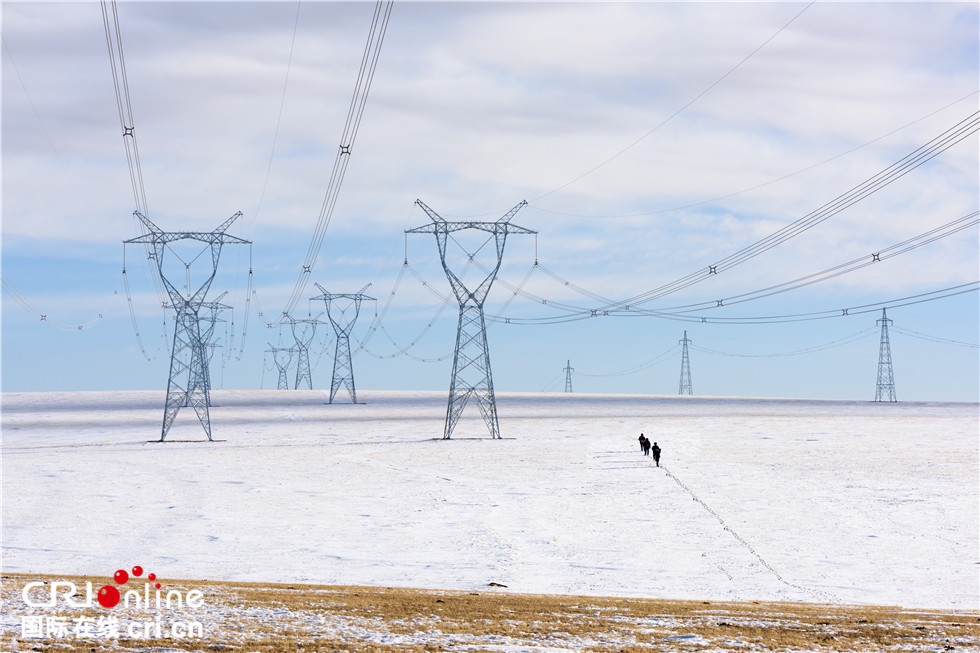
189, 382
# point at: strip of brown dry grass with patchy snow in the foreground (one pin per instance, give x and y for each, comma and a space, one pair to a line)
281, 618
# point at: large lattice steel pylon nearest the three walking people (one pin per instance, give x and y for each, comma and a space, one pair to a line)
471, 377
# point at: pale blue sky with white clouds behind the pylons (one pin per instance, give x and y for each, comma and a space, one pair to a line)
650, 140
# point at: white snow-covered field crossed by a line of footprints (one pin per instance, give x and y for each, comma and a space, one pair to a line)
824, 501
